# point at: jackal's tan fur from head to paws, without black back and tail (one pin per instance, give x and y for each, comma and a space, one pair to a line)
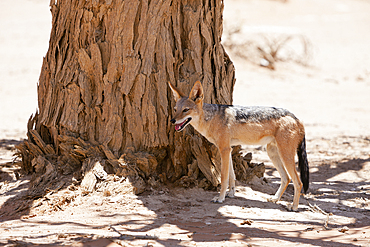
281, 135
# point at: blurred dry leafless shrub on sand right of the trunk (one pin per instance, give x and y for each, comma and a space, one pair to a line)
266, 47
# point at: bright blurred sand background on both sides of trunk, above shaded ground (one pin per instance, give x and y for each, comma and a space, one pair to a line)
311, 57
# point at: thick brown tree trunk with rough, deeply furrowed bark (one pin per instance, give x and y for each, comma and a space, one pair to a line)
103, 90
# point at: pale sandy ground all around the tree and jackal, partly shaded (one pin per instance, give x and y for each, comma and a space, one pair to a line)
330, 95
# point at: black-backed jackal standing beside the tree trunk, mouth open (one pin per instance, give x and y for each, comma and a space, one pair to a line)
227, 126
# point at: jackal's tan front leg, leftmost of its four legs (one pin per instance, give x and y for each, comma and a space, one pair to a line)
225, 166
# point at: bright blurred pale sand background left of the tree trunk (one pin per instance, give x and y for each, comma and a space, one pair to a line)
25, 27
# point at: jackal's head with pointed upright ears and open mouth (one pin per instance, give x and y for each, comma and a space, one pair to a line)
187, 109
